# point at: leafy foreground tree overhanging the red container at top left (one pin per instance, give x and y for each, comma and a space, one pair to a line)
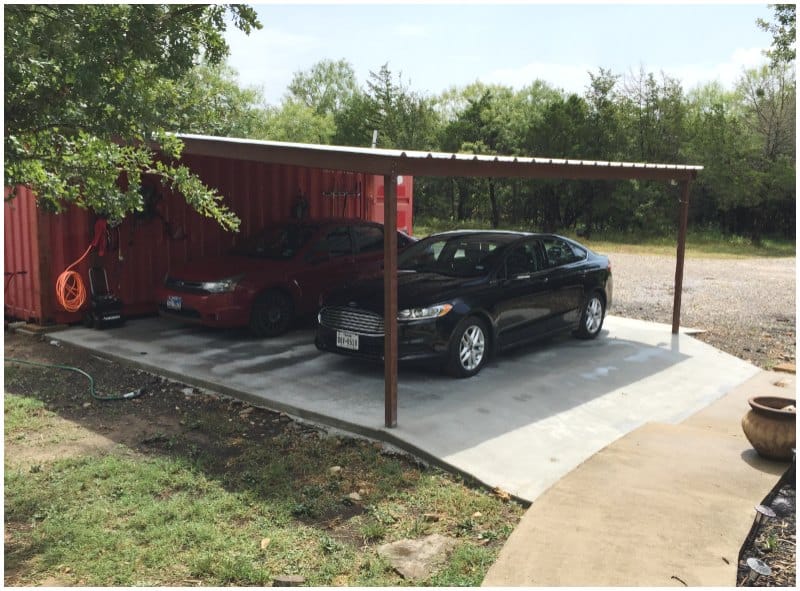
86, 94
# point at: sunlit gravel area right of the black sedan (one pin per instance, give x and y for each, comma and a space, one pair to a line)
745, 306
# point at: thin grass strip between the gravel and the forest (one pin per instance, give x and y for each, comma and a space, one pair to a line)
699, 243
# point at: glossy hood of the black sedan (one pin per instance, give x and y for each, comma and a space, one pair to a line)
413, 290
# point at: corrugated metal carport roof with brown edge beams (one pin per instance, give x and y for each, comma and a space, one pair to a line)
416, 163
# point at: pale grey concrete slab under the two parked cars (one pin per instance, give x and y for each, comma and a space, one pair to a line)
529, 418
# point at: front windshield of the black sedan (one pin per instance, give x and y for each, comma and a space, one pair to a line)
470, 255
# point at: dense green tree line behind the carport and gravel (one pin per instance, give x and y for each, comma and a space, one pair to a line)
744, 137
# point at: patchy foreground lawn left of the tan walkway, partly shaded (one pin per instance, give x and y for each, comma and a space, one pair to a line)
239, 510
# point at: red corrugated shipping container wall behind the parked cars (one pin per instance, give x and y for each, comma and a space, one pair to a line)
143, 248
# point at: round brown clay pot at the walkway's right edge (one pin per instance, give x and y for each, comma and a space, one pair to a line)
770, 426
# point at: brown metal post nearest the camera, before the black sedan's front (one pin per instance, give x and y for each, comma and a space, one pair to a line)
390, 297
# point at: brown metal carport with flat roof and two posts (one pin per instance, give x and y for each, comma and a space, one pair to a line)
394, 163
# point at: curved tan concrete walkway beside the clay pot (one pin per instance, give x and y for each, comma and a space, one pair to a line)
666, 505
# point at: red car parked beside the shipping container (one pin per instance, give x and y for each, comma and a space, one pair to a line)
276, 275
